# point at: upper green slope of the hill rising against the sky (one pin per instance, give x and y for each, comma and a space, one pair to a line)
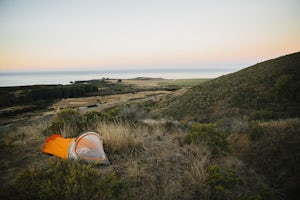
268, 90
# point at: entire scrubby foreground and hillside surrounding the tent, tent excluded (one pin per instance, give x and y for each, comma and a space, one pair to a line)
234, 137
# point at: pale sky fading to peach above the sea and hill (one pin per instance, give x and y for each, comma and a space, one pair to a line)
102, 34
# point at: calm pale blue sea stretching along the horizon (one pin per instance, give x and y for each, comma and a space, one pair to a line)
64, 77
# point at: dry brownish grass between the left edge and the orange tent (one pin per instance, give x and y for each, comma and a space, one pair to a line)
20, 146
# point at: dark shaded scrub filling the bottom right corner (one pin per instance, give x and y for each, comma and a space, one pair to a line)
274, 152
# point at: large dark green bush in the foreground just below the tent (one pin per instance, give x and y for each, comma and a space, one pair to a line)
61, 179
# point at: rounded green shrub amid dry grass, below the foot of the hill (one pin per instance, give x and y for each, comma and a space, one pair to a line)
207, 134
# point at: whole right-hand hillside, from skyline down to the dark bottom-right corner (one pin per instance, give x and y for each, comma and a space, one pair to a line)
258, 108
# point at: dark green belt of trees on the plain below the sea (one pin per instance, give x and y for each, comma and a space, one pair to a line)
24, 95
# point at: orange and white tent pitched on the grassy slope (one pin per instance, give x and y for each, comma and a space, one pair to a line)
87, 146
